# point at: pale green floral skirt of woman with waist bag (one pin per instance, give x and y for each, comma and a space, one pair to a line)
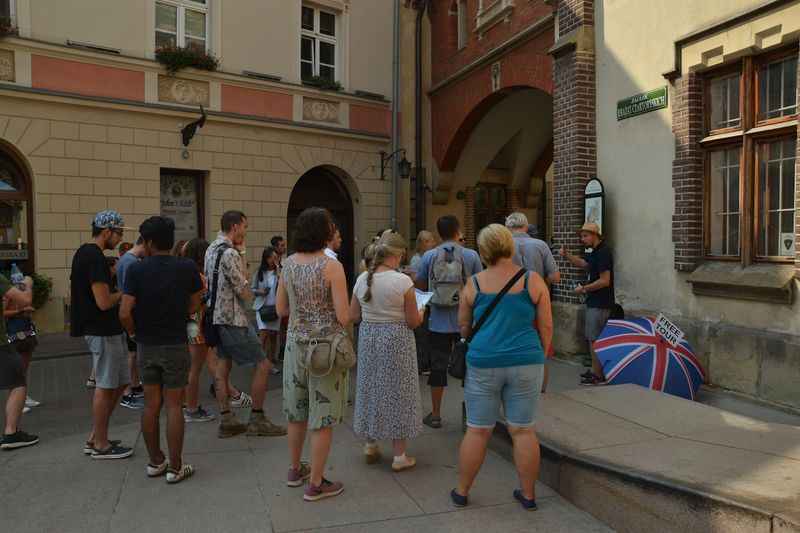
321, 402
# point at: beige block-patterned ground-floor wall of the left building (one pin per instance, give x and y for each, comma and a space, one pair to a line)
84, 159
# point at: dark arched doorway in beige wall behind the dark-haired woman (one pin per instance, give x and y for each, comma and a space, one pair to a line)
322, 187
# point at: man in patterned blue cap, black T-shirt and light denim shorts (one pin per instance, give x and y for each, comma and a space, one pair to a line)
94, 316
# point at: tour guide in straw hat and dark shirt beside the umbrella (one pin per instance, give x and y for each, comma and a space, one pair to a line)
599, 291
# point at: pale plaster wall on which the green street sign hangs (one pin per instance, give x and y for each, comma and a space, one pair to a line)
634, 48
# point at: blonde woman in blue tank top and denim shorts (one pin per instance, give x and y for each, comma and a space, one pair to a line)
505, 362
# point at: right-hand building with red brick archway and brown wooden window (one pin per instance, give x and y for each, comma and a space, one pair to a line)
685, 111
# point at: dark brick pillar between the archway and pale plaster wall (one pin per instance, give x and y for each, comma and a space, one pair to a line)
574, 141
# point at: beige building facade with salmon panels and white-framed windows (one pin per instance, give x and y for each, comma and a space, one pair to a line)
297, 114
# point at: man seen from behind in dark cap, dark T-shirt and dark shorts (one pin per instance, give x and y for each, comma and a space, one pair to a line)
161, 291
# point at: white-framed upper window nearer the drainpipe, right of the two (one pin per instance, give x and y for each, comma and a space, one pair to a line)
318, 50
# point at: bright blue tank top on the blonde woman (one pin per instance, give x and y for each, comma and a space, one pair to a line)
507, 338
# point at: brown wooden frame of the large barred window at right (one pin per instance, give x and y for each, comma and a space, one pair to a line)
748, 138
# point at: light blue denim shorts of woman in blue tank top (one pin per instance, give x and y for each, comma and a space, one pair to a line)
516, 388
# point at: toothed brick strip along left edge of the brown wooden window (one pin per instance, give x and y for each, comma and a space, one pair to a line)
687, 172
